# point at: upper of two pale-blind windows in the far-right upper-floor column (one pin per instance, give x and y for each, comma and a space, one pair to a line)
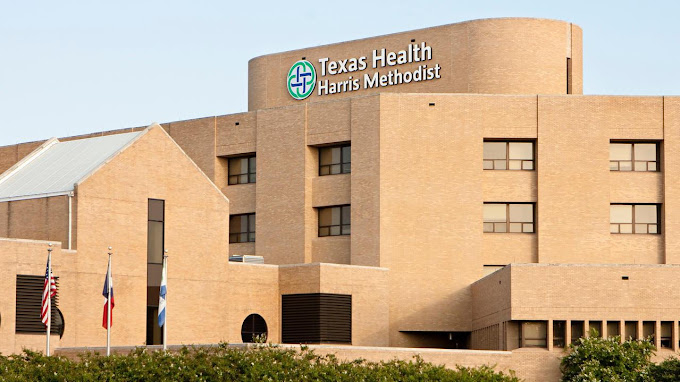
626, 156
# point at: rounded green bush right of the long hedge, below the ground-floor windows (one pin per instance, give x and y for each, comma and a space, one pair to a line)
606, 359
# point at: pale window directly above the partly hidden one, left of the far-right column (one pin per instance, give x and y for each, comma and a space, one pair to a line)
509, 217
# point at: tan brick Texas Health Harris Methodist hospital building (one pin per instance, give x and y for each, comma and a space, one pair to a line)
442, 188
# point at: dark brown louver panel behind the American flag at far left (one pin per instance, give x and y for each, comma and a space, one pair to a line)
29, 304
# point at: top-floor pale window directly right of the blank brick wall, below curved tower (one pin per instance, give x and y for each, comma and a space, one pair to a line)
508, 155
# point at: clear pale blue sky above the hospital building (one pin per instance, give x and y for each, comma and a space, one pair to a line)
73, 67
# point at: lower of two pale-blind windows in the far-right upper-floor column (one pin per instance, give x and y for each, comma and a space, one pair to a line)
634, 218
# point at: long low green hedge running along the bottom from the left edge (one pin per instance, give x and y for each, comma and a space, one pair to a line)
223, 363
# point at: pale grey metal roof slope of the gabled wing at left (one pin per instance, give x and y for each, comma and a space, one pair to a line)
55, 167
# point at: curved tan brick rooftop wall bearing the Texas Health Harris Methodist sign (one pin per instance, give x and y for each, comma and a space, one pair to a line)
492, 56
